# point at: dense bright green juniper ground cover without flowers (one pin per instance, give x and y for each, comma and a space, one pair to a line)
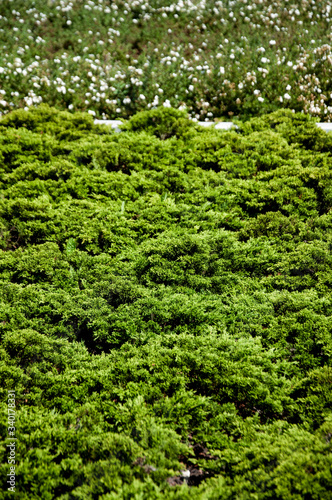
166, 305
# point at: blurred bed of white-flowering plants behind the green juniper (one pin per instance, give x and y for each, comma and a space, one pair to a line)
219, 59
